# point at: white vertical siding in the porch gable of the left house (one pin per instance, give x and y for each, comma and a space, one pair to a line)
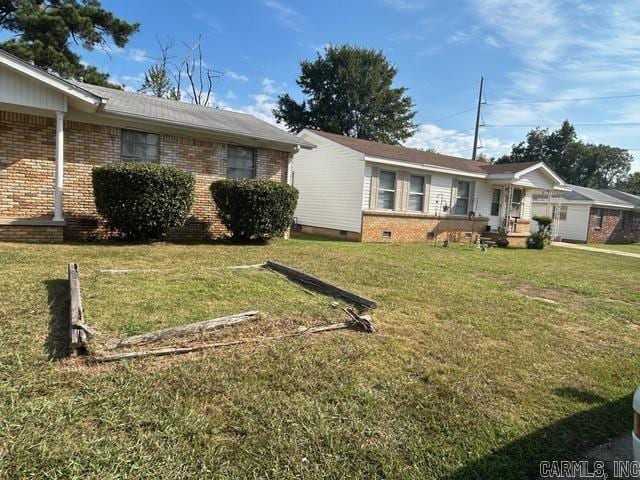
18, 89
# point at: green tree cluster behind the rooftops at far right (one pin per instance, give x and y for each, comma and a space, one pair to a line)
578, 163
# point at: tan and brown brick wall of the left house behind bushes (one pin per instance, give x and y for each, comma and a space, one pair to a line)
27, 167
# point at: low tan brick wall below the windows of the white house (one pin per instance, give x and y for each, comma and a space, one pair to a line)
415, 227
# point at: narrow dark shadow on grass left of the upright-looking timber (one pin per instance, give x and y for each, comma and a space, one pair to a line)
57, 342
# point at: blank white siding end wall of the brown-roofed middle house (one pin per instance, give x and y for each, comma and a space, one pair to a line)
330, 179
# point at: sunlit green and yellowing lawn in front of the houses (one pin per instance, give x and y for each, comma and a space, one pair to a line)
470, 374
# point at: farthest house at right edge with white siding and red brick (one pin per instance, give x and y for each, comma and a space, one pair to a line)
594, 216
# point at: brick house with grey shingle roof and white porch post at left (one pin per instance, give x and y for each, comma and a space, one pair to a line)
53, 132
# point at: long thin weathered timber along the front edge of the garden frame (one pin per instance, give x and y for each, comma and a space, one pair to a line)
180, 350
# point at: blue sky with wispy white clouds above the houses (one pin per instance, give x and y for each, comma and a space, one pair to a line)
526, 49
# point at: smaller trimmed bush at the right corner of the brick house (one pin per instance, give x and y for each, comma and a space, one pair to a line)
254, 209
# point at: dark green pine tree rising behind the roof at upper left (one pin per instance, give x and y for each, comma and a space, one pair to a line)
46, 30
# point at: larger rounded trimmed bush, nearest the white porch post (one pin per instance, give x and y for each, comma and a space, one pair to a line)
143, 201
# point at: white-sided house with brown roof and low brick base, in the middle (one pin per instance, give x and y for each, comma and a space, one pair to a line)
373, 192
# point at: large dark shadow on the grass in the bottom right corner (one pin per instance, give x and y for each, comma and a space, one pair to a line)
567, 439
